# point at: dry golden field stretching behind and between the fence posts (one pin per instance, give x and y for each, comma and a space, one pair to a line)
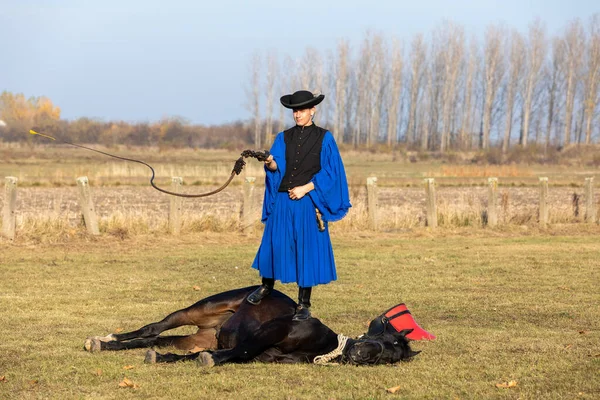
48, 209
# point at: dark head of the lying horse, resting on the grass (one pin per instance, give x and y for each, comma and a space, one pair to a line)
383, 348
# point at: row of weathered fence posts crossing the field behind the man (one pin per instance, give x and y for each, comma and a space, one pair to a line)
248, 219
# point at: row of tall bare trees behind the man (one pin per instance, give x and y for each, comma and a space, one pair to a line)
444, 91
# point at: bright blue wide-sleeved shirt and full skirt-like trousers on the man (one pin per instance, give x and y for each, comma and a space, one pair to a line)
292, 248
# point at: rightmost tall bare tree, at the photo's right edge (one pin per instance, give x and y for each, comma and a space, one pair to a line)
592, 77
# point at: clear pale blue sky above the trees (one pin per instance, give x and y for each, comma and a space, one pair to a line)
141, 60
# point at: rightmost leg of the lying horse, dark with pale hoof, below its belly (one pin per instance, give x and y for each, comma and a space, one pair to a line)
251, 346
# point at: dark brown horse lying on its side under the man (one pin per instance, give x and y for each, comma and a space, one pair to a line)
232, 330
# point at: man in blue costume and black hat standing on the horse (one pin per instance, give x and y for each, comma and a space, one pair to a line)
305, 188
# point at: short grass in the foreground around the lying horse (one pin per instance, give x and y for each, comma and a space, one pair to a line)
504, 308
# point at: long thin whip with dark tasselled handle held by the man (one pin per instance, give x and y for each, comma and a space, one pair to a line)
237, 168
